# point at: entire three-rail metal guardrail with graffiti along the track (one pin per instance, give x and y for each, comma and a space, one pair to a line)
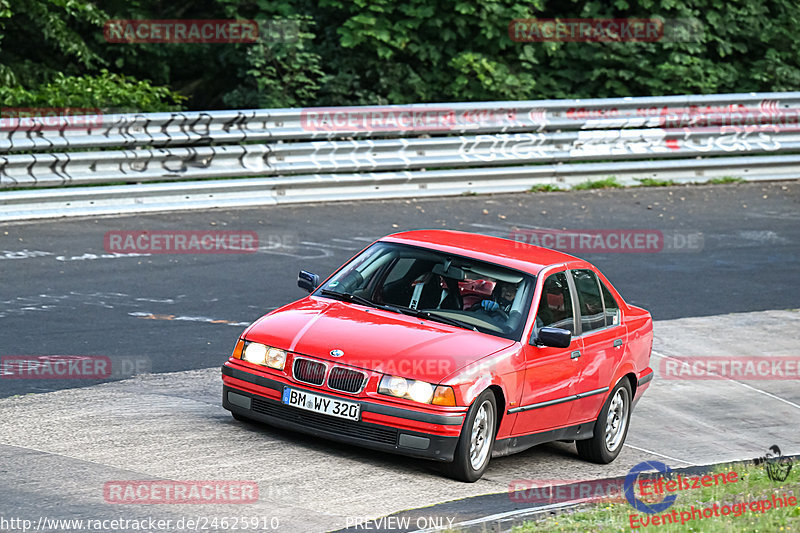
375, 146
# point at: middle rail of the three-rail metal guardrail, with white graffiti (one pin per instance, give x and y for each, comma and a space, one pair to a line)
160, 164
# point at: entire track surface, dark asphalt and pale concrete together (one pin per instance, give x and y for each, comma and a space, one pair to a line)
62, 295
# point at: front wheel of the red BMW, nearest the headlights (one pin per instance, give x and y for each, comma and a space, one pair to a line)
474, 448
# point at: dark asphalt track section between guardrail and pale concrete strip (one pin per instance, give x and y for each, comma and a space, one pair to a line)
180, 312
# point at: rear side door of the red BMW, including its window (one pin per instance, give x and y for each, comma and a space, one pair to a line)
603, 338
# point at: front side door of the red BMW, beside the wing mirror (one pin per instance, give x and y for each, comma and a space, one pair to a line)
550, 373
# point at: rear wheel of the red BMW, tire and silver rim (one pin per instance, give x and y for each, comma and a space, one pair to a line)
611, 427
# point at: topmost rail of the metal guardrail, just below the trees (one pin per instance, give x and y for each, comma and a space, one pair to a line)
265, 125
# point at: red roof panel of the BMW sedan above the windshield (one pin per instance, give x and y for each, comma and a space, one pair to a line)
505, 252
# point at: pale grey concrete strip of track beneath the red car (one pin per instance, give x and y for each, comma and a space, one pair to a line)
59, 450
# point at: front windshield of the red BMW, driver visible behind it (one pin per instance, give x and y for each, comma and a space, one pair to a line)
478, 295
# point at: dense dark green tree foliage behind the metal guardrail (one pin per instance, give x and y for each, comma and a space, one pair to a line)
347, 52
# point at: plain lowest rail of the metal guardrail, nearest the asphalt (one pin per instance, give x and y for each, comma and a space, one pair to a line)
253, 192
